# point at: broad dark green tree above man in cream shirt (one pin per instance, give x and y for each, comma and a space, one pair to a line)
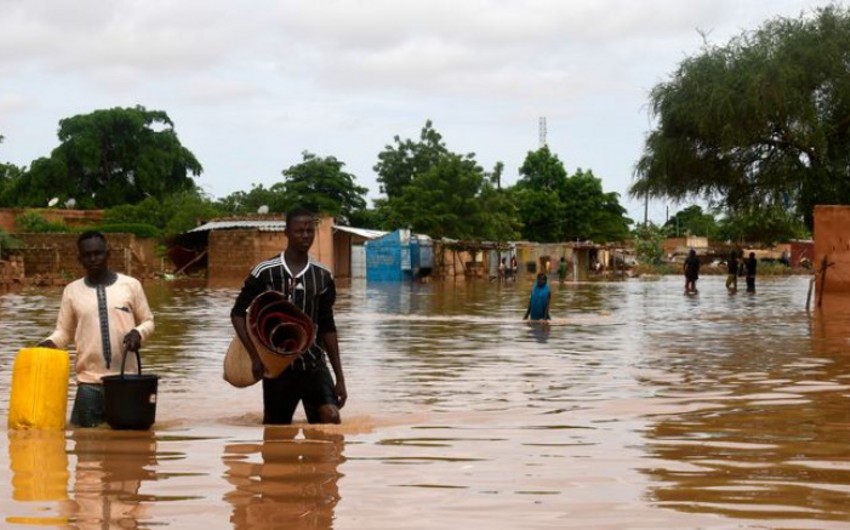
111, 157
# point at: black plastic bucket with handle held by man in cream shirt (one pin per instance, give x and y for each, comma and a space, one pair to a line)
130, 398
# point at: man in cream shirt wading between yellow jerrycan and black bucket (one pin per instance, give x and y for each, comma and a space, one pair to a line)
103, 314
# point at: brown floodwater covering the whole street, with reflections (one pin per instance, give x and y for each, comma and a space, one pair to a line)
638, 408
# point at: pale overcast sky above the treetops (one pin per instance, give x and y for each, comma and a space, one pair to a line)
250, 85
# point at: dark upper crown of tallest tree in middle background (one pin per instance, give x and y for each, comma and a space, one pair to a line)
398, 164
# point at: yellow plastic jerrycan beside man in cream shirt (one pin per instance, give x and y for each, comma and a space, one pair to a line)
39, 398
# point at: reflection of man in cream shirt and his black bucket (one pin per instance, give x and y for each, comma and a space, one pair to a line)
110, 469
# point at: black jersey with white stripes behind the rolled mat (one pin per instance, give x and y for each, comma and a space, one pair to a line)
312, 290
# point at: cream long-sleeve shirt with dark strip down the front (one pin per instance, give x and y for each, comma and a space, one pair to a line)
79, 322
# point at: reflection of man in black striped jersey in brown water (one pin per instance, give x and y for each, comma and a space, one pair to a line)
294, 484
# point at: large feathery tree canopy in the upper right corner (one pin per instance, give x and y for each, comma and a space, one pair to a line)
762, 122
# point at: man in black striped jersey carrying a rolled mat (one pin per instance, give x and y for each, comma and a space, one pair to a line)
310, 286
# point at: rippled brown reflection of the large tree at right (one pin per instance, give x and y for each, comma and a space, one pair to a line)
752, 428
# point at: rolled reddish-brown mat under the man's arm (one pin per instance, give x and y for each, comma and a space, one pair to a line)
280, 332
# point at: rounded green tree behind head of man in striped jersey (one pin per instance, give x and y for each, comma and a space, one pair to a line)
321, 185
